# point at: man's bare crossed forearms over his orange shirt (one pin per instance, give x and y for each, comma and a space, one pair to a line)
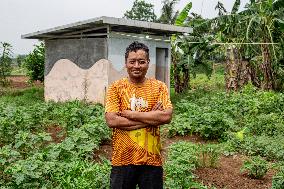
131, 120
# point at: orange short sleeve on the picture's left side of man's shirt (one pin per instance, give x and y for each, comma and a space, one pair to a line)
112, 99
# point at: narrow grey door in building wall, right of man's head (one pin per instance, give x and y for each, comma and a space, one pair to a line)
161, 64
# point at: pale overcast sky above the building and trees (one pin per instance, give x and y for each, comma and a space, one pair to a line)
18, 17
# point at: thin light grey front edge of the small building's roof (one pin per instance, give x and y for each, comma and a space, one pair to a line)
112, 21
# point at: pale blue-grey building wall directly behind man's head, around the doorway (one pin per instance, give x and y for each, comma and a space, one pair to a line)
116, 51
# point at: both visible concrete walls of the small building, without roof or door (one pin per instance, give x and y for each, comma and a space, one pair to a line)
82, 69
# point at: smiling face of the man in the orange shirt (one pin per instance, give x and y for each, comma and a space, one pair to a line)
137, 64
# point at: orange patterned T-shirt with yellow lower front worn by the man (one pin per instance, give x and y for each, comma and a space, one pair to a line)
141, 146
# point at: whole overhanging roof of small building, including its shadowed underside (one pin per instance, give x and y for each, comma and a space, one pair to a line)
103, 25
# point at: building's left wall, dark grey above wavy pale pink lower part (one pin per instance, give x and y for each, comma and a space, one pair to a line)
76, 69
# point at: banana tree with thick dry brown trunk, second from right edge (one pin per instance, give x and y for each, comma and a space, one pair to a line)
229, 27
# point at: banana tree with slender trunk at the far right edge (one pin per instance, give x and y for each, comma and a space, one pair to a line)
265, 25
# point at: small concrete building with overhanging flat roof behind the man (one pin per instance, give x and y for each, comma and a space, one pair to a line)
82, 59
